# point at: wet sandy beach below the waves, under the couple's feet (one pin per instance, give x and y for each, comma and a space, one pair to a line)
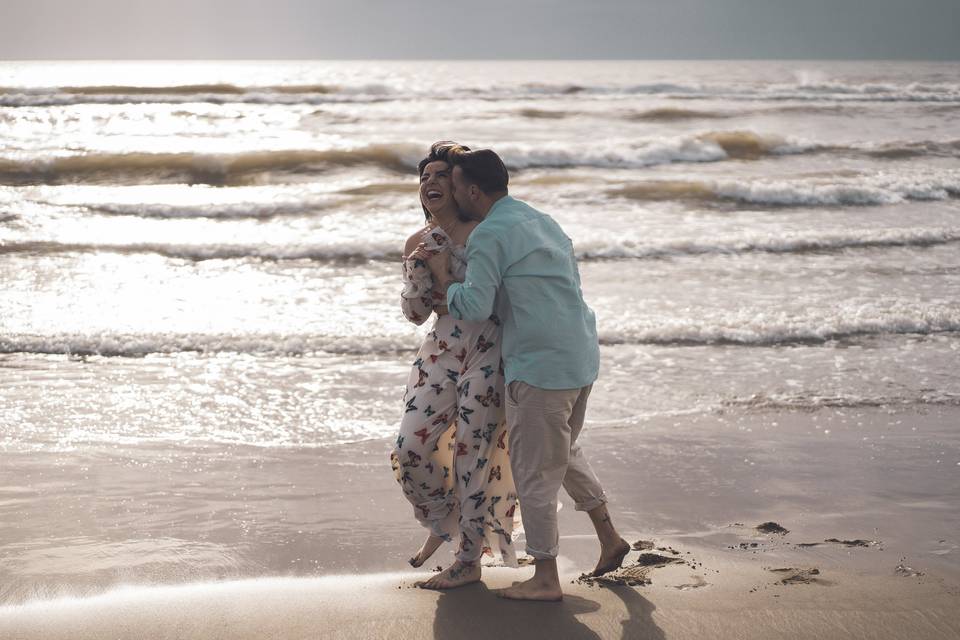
694, 487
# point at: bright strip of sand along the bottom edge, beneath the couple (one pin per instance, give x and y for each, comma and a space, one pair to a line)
378, 605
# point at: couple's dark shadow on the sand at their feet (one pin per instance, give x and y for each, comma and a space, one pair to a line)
476, 612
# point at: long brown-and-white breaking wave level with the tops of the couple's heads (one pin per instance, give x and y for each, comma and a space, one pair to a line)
221, 169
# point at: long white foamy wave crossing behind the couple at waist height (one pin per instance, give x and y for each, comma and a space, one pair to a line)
749, 327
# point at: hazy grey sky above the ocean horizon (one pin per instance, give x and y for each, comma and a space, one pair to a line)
480, 29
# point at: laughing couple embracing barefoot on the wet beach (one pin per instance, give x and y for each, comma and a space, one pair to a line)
510, 362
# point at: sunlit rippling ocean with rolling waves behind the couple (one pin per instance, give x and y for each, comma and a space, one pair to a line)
200, 275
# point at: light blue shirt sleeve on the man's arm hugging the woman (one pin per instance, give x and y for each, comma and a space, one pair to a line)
474, 298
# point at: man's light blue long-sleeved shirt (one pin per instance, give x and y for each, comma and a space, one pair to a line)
521, 266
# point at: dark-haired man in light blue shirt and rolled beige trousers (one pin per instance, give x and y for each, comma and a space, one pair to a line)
521, 267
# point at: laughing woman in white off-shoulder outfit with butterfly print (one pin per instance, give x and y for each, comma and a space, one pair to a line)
457, 478
